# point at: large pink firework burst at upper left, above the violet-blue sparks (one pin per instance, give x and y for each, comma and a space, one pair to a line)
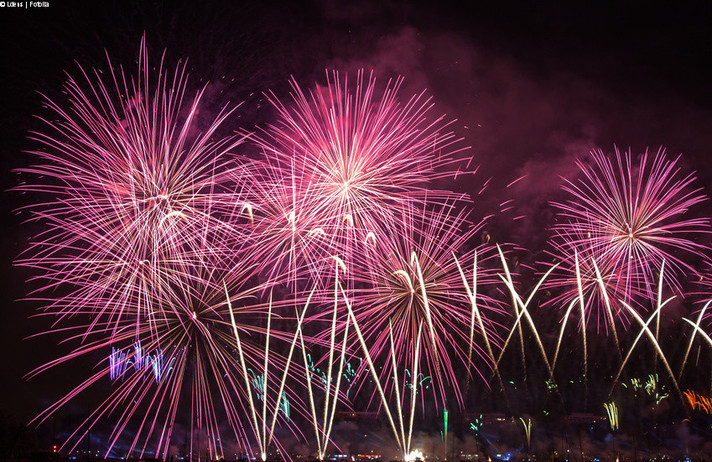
136, 192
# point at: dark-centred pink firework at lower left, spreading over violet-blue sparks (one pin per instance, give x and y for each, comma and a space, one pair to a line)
190, 359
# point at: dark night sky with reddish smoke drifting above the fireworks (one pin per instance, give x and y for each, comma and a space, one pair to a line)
532, 87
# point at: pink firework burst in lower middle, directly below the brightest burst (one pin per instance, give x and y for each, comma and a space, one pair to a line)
411, 277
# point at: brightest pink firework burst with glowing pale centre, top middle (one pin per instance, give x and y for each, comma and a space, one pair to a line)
362, 155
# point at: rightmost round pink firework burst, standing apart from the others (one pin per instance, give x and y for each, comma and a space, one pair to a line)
628, 216
